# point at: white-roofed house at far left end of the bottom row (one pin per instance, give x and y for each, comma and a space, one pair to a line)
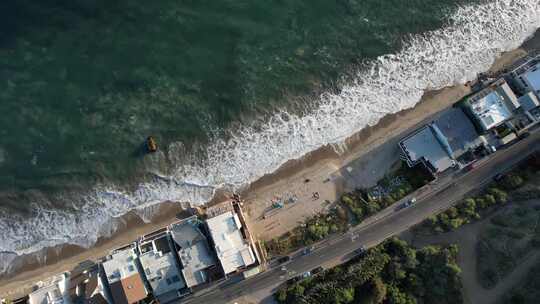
53, 291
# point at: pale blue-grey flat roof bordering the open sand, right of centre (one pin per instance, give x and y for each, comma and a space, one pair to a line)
423, 145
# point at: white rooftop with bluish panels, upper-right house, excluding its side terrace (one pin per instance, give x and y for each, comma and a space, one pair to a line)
490, 110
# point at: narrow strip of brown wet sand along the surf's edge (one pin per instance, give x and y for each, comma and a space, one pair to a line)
54, 260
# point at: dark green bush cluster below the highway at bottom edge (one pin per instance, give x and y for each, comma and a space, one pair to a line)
392, 272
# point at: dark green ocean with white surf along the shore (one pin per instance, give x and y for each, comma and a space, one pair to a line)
230, 89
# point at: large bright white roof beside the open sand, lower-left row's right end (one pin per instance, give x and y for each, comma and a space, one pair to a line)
231, 248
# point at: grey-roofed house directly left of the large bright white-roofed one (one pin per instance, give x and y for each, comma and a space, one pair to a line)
196, 259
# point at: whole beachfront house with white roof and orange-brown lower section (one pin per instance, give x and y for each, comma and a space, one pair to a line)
121, 276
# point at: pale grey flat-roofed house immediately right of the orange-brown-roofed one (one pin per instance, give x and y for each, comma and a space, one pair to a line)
160, 266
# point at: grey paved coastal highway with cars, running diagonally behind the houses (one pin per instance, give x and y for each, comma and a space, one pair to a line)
439, 196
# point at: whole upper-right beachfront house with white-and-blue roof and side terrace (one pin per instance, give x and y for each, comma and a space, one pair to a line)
492, 106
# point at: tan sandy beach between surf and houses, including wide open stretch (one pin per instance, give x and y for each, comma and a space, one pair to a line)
363, 160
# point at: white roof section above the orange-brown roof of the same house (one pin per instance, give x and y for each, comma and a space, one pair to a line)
120, 265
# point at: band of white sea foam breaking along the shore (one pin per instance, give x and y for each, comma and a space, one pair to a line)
475, 36
